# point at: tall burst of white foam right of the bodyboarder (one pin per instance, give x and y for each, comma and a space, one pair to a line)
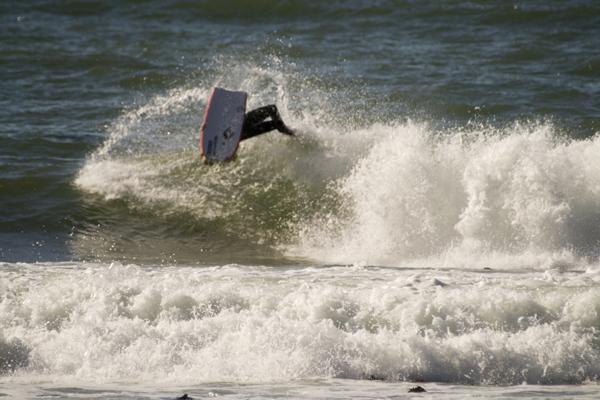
420, 193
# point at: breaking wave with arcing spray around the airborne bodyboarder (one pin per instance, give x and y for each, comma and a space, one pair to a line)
372, 189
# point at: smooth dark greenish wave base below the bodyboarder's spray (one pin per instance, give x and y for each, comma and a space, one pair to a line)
115, 231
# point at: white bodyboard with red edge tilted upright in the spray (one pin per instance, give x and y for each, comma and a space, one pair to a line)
222, 127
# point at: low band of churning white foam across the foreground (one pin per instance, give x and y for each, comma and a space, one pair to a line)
178, 325
